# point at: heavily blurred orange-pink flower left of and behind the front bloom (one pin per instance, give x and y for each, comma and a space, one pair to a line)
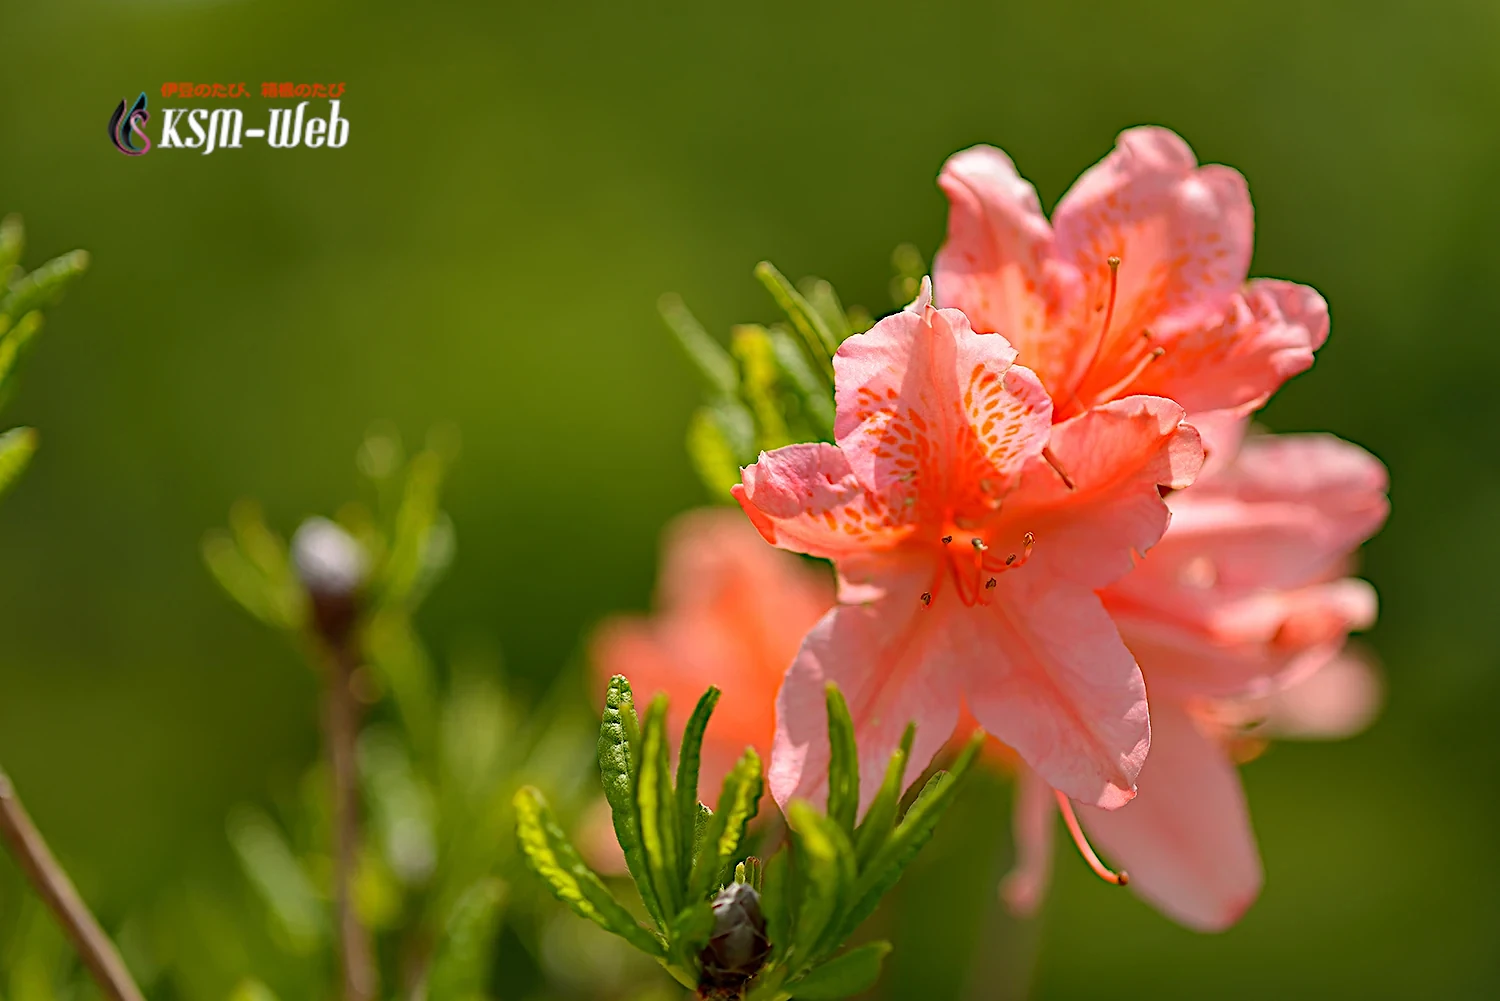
731, 613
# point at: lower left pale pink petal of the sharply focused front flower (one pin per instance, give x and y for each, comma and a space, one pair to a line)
892, 660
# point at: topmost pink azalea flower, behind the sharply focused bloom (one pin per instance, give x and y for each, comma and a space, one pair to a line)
1138, 286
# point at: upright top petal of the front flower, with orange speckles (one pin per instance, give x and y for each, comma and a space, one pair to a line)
931, 413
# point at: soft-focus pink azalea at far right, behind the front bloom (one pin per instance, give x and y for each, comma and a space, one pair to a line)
1240, 621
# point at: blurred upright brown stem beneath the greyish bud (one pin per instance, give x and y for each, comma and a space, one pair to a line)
343, 730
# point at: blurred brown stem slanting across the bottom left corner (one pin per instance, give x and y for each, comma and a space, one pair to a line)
58, 891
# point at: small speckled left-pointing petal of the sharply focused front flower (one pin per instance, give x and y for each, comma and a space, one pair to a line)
808, 499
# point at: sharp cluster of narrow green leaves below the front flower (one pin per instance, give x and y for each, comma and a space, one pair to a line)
812, 895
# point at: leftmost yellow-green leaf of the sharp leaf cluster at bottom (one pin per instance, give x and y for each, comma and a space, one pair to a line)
553, 858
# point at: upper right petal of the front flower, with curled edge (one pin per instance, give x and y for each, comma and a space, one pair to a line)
1091, 526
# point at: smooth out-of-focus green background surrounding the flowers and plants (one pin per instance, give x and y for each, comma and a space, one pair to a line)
520, 185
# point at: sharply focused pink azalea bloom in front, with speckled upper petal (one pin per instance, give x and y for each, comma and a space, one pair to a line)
967, 567
